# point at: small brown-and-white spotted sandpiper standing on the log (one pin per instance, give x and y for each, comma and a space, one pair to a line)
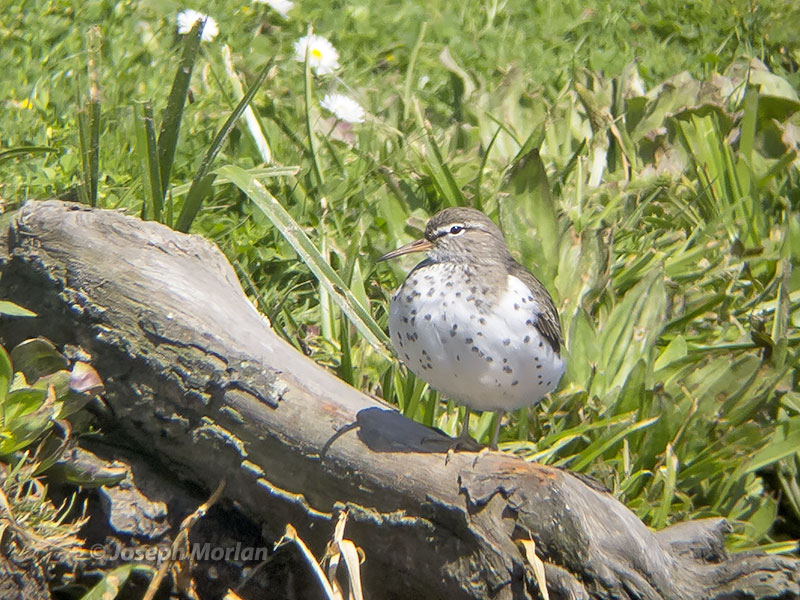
473, 322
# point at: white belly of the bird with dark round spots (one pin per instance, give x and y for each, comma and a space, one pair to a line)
492, 361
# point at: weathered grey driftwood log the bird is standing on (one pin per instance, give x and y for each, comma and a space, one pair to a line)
195, 375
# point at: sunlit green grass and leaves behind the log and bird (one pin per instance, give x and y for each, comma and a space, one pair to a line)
665, 224
